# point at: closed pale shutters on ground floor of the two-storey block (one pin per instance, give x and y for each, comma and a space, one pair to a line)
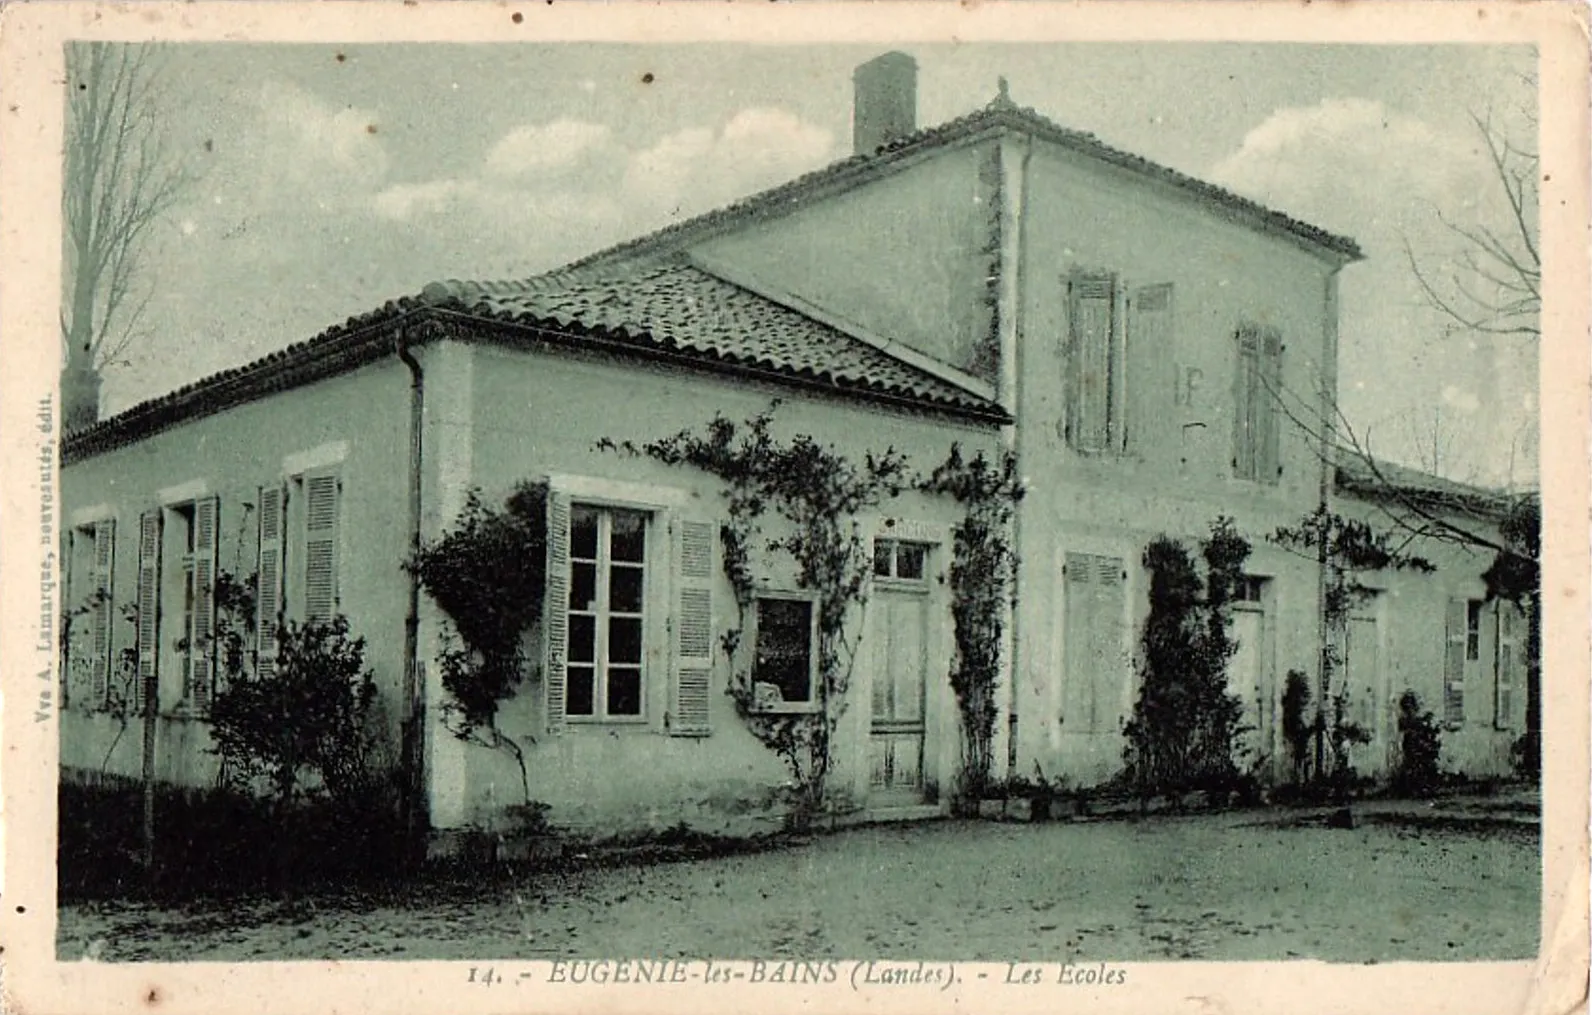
1093, 631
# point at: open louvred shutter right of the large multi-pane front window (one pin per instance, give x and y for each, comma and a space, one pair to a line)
693, 671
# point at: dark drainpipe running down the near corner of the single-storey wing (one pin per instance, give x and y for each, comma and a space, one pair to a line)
413, 803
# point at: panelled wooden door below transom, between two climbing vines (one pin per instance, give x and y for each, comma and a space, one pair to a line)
900, 666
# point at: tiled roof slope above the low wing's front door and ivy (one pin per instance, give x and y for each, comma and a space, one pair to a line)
684, 309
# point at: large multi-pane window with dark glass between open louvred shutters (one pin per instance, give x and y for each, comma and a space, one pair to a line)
607, 613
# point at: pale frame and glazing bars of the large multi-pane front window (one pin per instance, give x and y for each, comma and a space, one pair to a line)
599, 666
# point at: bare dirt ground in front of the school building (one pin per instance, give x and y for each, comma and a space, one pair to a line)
1410, 882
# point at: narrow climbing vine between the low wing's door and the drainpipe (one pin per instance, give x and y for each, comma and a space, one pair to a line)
983, 574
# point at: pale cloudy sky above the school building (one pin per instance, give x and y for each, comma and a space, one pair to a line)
330, 181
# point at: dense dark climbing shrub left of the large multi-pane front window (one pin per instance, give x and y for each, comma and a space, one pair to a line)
488, 574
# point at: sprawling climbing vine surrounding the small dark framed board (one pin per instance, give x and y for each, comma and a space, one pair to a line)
819, 494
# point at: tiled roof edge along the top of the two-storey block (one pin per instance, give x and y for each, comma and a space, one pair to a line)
999, 117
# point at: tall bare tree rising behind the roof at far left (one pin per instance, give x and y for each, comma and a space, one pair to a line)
120, 179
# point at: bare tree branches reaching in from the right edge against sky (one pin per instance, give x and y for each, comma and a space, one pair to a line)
1494, 284
